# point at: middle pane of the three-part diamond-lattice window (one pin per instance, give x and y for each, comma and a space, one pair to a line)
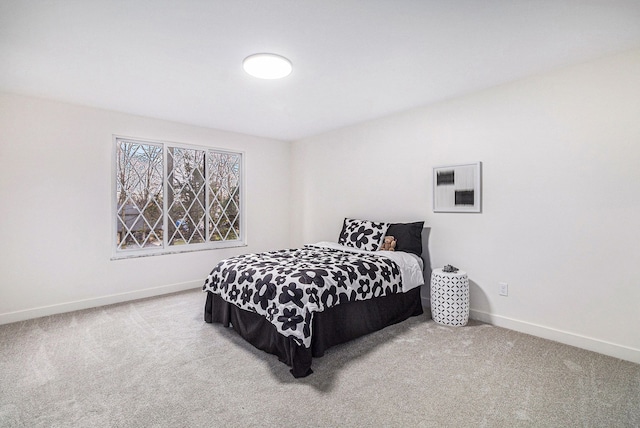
186, 196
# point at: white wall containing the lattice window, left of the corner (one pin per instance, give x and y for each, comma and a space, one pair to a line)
55, 207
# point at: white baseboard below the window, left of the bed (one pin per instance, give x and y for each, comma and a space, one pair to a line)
77, 305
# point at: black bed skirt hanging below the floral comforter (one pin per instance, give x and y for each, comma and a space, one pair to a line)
330, 327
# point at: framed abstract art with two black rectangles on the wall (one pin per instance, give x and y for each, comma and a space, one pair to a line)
458, 188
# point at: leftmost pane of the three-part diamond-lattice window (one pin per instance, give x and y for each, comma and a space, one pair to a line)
139, 195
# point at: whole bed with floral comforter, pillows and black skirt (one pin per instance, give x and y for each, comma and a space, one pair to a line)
297, 303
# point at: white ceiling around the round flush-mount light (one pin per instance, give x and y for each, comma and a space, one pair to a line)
354, 60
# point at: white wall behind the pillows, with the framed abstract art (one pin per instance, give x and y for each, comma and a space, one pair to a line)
561, 197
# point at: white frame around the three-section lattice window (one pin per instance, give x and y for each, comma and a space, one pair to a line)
165, 248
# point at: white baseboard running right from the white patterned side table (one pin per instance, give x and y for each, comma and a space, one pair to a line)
579, 341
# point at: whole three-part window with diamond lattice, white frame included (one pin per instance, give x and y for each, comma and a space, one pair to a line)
174, 197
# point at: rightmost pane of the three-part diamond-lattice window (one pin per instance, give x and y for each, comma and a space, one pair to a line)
224, 196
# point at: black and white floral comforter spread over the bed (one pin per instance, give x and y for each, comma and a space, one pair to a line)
288, 286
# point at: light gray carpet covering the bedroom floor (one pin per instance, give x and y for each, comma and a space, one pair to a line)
155, 363
